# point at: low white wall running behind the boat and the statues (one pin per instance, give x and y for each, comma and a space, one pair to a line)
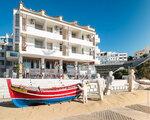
47, 83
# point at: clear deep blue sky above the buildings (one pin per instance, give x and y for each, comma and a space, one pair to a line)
123, 25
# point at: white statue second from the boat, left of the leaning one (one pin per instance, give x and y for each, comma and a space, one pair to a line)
100, 85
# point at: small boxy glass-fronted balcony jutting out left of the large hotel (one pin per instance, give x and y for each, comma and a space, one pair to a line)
12, 55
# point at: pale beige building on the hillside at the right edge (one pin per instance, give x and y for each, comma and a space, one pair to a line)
140, 53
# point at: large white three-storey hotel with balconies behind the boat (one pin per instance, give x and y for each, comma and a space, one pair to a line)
46, 42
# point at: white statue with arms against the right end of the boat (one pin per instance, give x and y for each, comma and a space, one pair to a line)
83, 87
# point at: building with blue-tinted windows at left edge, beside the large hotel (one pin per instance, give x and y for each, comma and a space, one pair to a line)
8, 57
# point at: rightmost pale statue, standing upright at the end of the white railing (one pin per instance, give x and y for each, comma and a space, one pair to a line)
131, 79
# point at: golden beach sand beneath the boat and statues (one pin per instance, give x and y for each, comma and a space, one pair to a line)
60, 111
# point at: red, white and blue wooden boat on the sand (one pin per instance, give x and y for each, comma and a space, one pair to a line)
23, 96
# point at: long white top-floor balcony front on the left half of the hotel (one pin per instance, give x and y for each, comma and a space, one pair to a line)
42, 33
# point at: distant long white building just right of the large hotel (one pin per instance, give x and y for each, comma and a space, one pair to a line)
112, 57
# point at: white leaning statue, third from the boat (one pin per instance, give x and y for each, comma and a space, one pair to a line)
109, 81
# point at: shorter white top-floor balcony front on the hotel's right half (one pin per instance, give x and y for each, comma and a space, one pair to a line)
80, 41
